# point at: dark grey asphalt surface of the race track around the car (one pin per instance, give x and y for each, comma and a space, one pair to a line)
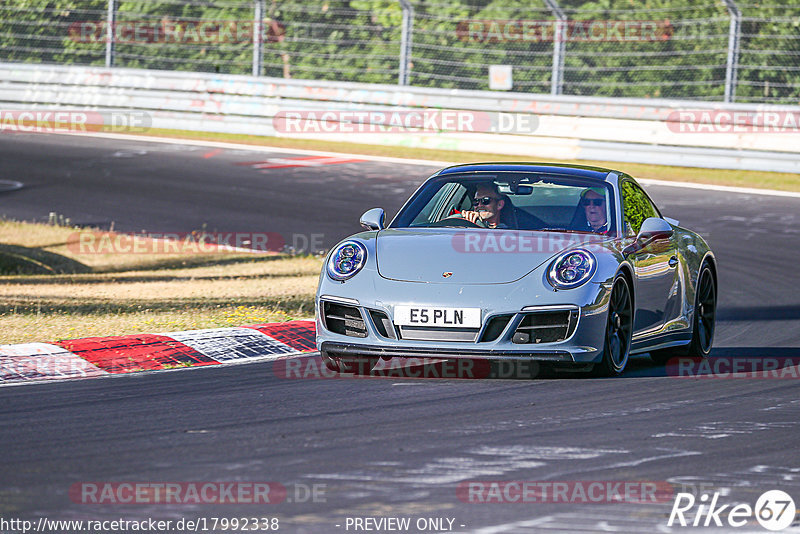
387, 447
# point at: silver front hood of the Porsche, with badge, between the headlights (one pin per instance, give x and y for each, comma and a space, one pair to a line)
476, 256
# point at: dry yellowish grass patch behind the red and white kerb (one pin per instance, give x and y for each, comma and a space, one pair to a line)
50, 292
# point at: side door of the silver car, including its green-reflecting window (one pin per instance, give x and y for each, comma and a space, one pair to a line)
655, 262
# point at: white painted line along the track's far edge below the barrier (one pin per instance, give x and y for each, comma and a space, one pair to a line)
422, 162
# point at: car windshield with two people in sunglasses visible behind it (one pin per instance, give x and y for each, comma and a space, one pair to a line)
514, 201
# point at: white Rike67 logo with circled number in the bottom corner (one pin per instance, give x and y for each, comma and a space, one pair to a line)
774, 510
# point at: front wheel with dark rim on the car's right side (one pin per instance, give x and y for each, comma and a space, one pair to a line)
619, 330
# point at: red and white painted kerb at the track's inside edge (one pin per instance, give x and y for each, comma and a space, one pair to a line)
101, 356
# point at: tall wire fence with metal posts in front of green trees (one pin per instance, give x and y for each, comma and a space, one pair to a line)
719, 50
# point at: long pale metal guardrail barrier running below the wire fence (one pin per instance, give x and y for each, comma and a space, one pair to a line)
569, 127
